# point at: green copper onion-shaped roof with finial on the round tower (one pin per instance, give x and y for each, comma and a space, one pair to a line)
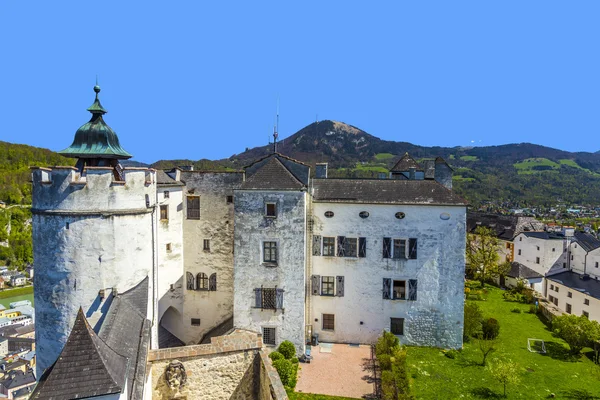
96, 139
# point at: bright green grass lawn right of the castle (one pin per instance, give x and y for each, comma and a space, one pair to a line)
435, 376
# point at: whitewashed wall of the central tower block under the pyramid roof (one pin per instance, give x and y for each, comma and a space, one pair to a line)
289, 231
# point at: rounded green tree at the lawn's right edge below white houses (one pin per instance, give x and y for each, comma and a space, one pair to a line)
577, 331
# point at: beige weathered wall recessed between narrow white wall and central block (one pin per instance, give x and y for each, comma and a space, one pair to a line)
215, 224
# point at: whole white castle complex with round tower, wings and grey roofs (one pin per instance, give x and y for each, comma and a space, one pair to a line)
131, 259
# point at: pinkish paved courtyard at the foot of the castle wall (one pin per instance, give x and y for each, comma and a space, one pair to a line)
337, 370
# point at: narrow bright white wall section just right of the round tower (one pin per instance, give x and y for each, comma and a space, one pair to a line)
170, 263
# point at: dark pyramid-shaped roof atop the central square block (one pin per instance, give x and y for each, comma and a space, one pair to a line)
273, 175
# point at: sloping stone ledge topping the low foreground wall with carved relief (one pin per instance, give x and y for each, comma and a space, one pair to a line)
235, 342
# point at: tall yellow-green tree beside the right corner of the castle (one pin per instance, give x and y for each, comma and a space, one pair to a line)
482, 254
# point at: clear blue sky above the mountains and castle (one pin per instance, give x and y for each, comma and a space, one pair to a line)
201, 79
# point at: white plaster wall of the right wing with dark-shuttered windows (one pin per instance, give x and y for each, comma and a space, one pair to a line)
436, 318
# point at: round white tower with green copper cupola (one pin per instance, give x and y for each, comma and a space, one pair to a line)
94, 233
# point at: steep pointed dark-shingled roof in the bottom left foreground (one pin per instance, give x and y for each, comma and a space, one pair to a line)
86, 367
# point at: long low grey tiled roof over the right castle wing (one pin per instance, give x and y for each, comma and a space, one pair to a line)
384, 191
